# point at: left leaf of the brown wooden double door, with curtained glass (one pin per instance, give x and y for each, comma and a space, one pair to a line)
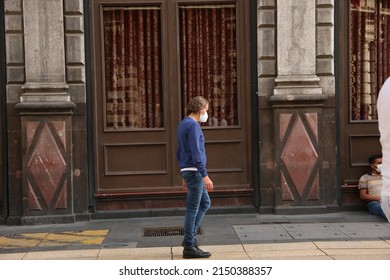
133, 148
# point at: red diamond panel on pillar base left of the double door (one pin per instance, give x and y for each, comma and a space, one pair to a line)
46, 165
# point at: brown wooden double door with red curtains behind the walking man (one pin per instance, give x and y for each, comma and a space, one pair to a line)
149, 60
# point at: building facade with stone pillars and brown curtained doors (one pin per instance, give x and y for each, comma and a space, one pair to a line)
93, 90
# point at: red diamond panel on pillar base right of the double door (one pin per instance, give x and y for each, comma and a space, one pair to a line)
299, 175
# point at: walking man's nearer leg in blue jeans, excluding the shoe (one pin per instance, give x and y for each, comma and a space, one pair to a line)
194, 195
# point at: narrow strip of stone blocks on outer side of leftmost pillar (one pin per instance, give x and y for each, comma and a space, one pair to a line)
15, 66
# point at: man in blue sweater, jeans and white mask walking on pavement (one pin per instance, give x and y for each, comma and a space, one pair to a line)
191, 155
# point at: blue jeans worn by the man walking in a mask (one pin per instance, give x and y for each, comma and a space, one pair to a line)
198, 202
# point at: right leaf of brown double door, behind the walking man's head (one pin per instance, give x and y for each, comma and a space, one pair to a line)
228, 155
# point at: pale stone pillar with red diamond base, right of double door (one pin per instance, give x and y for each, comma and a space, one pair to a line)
297, 103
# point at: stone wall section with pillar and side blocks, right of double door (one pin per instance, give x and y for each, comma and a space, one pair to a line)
296, 93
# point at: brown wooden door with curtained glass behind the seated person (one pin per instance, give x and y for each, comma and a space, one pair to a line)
358, 135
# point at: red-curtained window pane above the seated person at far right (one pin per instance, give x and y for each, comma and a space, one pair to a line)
369, 52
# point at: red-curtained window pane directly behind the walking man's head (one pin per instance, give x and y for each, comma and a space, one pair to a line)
208, 57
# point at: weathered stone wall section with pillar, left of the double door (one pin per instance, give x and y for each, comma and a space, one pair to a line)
45, 65
